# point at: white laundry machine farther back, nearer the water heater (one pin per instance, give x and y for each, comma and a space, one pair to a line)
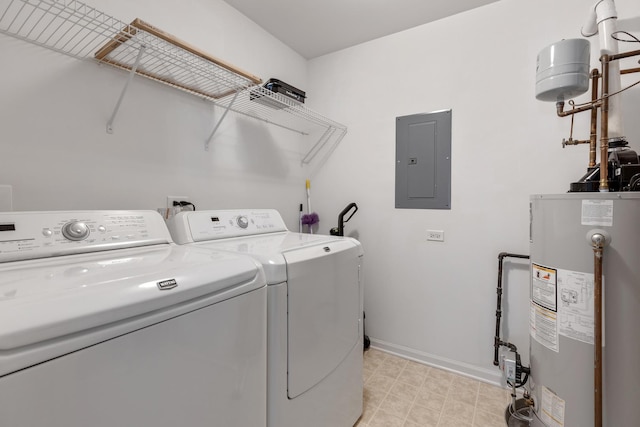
315, 335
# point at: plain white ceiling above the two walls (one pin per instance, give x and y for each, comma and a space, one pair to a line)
316, 27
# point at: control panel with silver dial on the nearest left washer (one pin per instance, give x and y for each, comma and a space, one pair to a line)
28, 235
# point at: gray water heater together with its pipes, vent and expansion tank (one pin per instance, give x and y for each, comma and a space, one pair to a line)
584, 256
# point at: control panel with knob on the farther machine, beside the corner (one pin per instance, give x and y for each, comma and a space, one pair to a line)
200, 226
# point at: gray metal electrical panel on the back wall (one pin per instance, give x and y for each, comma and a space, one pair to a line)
423, 161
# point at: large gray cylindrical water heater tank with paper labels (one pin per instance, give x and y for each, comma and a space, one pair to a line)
562, 308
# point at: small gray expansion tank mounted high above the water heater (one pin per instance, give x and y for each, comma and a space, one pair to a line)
562, 70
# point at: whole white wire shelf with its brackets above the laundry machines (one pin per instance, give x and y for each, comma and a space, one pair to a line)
81, 31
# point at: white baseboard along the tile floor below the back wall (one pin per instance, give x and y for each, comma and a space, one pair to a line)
490, 376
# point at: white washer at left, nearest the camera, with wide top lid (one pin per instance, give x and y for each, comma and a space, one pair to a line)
104, 322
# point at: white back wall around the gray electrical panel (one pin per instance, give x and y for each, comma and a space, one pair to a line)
436, 301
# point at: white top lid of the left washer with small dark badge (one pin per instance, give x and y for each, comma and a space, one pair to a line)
49, 298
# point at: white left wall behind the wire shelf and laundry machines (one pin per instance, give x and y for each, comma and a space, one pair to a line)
54, 109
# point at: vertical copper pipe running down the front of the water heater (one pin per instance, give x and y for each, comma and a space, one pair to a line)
598, 242
